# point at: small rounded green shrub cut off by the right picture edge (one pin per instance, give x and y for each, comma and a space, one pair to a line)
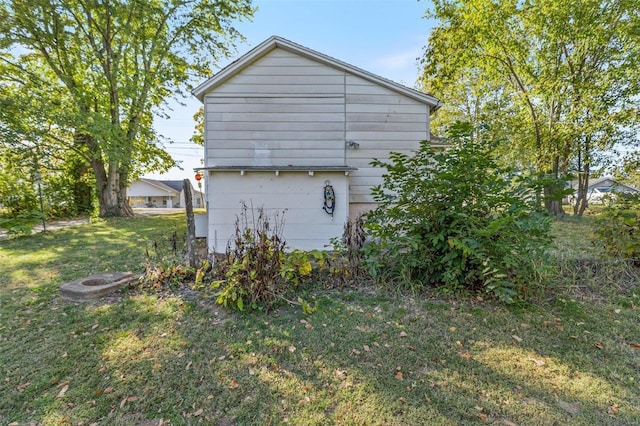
618, 228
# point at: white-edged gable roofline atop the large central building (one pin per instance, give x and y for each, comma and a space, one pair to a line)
278, 42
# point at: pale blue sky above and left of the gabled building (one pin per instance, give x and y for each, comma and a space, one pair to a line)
385, 37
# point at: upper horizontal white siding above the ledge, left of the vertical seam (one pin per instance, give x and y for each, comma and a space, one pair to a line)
282, 110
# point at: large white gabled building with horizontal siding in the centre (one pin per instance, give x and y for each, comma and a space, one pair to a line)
283, 122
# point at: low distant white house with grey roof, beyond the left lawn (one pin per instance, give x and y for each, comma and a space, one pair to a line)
161, 193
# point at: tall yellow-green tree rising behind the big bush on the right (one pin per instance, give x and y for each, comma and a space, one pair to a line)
569, 70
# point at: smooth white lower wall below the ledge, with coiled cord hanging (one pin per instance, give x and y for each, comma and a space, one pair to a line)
300, 196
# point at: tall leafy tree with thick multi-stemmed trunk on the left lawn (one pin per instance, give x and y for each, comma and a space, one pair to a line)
113, 63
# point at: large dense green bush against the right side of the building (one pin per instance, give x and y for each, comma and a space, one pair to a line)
458, 220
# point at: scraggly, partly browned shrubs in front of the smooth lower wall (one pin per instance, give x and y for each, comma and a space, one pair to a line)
258, 271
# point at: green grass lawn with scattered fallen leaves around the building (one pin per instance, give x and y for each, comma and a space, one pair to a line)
366, 357
